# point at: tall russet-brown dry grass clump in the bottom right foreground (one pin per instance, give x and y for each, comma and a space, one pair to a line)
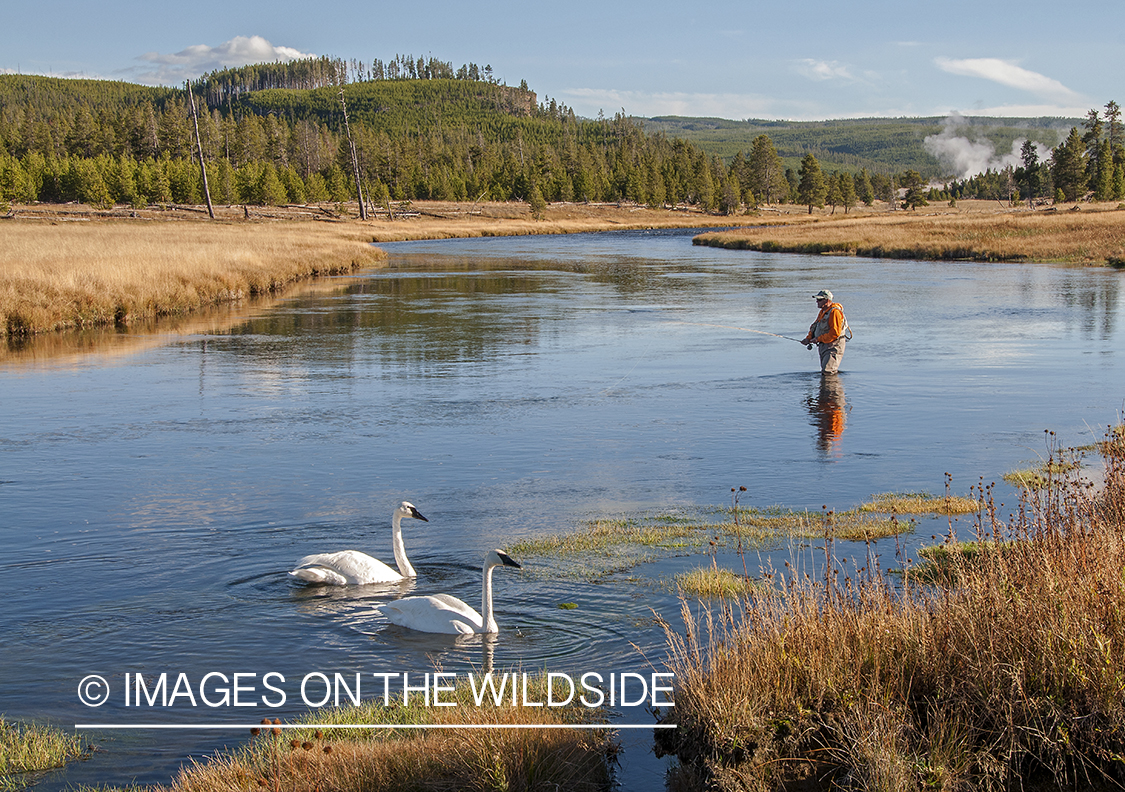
1009, 673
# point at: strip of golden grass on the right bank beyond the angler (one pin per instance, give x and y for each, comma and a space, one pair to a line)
1093, 236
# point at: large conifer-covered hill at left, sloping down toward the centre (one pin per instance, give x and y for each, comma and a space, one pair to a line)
276, 134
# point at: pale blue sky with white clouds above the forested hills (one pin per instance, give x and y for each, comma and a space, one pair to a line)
789, 59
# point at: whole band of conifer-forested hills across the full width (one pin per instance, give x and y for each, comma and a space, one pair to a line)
276, 133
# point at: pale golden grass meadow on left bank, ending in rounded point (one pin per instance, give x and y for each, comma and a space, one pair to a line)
88, 275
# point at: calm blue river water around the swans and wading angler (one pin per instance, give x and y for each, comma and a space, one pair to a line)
152, 500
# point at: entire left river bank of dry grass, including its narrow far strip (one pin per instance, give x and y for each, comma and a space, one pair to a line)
78, 267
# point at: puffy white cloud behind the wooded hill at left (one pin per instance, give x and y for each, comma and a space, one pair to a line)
174, 69
